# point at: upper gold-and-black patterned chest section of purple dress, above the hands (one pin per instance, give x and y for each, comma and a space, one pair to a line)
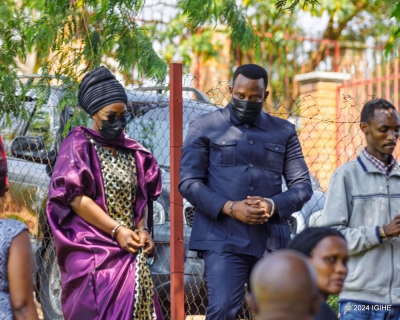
120, 183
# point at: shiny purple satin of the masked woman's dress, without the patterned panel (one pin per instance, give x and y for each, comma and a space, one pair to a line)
98, 277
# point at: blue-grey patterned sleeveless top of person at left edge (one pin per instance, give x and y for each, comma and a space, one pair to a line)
9, 229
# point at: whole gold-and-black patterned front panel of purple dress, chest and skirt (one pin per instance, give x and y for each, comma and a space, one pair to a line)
120, 182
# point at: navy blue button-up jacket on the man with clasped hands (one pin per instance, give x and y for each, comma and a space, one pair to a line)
224, 159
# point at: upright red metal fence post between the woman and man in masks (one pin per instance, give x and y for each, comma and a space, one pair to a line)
176, 201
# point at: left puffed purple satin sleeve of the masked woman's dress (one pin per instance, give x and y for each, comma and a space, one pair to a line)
72, 175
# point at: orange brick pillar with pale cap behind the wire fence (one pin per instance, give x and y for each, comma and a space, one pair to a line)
319, 127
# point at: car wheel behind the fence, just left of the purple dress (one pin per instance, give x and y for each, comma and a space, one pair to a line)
50, 285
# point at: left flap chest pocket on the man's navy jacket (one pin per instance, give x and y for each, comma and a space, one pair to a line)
223, 152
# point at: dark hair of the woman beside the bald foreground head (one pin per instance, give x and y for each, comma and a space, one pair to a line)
308, 239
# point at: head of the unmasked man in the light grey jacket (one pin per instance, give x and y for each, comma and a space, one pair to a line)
380, 123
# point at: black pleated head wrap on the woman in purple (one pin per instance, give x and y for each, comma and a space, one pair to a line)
98, 89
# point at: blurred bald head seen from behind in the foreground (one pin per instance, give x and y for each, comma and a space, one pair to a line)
284, 287
